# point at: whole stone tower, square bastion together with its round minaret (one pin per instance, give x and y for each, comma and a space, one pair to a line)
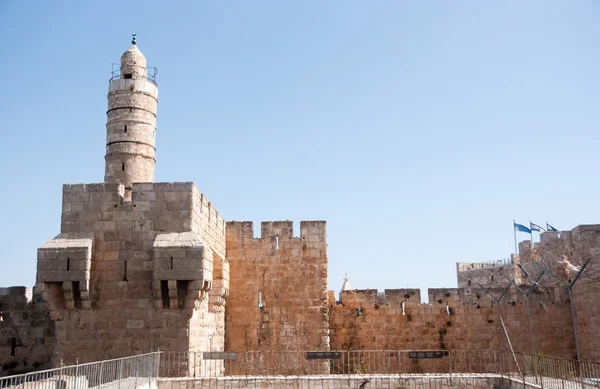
138, 265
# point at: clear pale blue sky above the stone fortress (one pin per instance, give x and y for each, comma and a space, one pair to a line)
418, 130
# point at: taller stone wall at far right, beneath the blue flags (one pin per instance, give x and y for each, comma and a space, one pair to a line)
554, 263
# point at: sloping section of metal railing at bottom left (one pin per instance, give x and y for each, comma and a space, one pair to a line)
122, 373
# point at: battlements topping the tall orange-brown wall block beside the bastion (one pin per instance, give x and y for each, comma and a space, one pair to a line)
313, 231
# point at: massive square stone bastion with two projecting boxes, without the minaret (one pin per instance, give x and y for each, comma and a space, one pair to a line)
143, 271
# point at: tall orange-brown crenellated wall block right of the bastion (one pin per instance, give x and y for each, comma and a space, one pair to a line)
290, 275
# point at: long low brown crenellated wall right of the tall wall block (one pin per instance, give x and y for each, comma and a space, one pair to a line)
454, 319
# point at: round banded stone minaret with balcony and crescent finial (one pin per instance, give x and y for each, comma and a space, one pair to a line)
131, 122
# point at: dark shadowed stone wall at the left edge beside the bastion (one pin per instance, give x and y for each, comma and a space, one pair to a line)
26, 332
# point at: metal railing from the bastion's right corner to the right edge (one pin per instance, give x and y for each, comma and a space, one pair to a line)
528, 368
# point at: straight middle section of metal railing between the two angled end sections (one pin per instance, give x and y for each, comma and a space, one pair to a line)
195, 364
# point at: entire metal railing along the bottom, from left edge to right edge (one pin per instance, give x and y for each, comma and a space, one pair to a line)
441, 369
